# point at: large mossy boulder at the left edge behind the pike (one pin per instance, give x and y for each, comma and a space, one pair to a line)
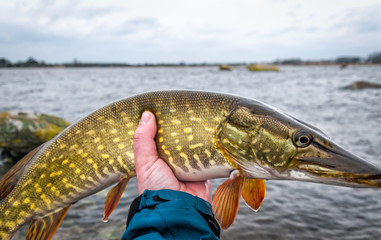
22, 132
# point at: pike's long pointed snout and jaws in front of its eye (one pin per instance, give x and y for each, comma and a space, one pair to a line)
336, 166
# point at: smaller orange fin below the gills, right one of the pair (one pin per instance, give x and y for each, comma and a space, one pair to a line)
253, 192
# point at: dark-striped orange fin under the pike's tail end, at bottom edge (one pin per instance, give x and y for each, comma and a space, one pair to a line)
44, 228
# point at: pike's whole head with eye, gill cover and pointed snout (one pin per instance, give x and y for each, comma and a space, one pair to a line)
263, 142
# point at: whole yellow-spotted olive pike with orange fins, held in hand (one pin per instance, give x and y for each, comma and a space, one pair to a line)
201, 135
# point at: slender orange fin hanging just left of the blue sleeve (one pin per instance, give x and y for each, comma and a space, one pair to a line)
113, 197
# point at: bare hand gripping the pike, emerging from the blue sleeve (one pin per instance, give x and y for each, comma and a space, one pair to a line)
152, 172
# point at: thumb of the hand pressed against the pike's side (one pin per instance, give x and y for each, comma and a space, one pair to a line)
144, 144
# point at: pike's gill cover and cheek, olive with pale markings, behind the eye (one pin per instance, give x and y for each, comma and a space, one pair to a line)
259, 145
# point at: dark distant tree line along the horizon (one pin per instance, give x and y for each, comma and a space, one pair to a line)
374, 58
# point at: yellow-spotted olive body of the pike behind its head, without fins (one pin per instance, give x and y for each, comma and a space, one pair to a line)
98, 150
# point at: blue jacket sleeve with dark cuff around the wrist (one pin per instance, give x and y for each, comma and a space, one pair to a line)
167, 214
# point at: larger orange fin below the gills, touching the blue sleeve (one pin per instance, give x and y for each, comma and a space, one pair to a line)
226, 200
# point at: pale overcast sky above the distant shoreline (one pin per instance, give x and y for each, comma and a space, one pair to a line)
143, 31
